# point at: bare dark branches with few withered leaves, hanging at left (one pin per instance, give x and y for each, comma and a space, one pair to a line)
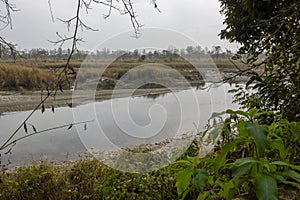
67, 69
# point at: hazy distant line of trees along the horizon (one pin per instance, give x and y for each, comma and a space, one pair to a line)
171, 53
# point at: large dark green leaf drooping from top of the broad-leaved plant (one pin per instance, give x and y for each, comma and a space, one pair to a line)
259, 135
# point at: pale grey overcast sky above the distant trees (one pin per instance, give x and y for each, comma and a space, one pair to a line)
197, 19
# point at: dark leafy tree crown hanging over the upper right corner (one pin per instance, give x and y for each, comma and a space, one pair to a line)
271, 48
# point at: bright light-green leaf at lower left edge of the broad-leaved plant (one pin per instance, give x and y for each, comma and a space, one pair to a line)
183, 179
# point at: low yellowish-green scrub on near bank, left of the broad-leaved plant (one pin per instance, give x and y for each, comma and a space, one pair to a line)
85, 179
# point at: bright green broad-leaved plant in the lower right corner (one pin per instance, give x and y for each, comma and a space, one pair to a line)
251, 158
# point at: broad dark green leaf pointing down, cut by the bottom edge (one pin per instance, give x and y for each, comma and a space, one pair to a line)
265, 187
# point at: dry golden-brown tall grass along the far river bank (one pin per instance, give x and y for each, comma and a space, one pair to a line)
30, 74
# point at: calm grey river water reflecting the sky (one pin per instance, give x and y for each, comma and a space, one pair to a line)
118, 123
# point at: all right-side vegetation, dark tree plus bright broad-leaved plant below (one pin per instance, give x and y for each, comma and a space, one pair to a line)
257, 152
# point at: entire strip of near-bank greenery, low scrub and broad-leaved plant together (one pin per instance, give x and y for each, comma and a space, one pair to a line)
249, 159
